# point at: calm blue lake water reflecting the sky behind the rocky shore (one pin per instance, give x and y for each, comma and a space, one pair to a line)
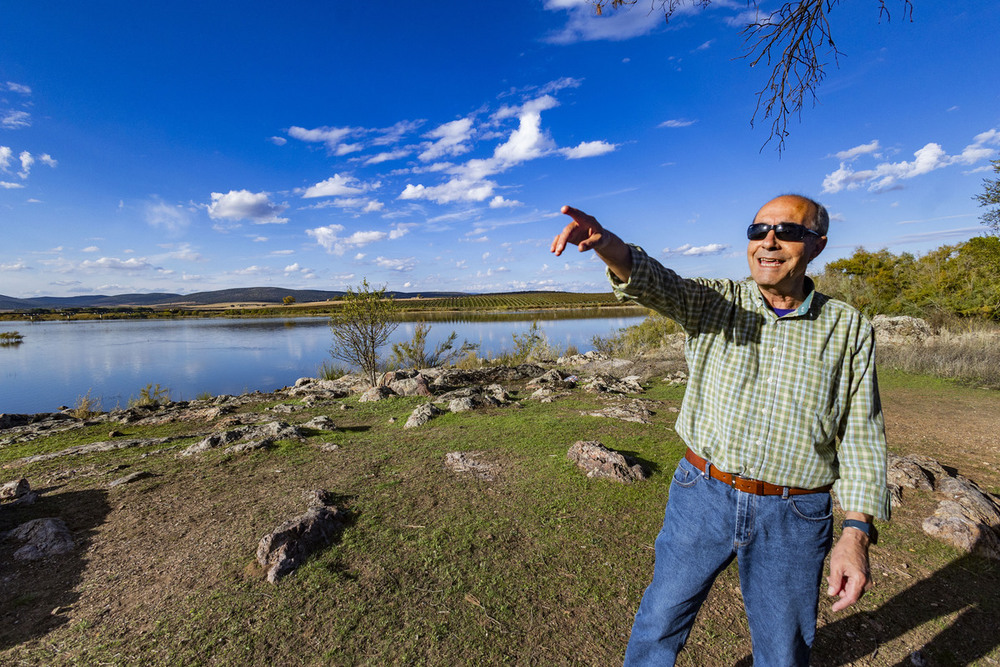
60, 361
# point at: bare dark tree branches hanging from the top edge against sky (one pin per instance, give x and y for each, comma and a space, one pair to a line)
793, 41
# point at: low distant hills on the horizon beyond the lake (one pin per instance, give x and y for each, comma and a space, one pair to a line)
237, 295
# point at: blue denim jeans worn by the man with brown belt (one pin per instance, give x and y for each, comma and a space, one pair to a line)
780, 544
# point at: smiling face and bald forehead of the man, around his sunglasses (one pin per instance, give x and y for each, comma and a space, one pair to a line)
780, 266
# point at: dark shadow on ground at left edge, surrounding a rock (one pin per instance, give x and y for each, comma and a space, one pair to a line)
34, 595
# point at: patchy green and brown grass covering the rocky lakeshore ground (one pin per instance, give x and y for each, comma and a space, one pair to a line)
542, 566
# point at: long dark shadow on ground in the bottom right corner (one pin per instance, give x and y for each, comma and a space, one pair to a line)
968, 586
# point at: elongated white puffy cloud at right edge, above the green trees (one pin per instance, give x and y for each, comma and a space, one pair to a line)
887, 175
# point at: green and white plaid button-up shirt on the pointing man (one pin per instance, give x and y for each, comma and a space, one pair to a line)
767, 397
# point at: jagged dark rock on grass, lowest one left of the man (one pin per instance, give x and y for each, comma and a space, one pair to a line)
290, 544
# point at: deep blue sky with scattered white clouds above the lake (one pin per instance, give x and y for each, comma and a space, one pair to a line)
192, 146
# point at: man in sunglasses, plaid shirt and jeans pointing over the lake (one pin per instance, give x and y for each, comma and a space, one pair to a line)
781, 406
